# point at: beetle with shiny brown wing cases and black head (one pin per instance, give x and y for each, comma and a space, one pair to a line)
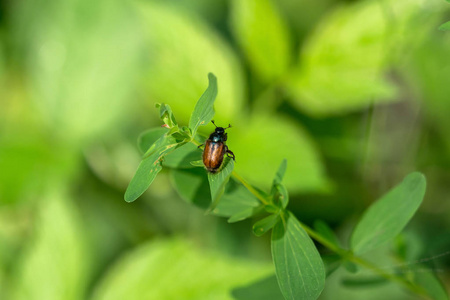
215, 149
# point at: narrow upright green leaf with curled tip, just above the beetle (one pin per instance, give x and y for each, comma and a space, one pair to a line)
204, 109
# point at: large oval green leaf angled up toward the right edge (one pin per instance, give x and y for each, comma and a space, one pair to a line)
387, 217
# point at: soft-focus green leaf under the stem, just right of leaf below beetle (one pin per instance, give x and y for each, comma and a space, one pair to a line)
237, 202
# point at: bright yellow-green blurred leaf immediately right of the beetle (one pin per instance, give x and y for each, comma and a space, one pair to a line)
260, 142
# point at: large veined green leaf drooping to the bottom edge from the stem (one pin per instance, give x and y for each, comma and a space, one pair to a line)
299, 268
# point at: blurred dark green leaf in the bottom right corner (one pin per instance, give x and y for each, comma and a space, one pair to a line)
426, 278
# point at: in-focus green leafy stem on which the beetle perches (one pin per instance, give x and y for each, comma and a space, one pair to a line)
299, 268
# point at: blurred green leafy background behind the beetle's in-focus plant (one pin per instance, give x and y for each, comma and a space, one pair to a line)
355, 94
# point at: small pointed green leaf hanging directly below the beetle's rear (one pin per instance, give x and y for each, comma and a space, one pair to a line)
218, 181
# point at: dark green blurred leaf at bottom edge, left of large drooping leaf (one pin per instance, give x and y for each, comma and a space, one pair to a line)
266, 288
